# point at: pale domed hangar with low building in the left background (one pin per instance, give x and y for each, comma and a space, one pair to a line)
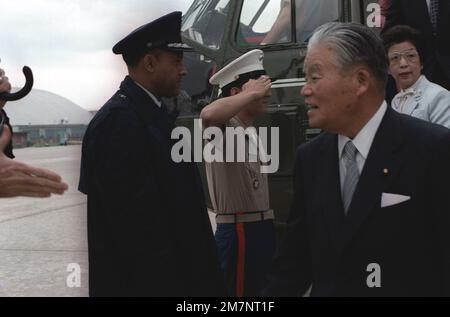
47, 119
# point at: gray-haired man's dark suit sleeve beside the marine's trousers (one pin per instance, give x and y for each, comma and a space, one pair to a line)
291, 269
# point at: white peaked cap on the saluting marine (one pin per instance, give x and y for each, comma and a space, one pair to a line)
249, 62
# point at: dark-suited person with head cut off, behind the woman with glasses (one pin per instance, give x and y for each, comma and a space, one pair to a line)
431, 18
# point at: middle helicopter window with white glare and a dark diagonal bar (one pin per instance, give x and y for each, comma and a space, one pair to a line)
259, 17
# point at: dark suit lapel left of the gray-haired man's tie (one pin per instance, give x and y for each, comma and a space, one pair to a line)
330, 188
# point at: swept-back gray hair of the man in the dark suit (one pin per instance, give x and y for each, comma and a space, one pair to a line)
354, 44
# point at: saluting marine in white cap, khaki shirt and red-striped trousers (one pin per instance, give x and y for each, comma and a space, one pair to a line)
239, 191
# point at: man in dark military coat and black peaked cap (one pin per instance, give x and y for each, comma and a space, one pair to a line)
148, 229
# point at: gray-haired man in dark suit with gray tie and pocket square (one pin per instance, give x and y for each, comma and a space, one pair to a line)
371, 213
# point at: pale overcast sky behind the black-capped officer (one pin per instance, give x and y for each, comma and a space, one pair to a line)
67, 43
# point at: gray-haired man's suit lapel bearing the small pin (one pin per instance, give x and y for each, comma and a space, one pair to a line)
381, 167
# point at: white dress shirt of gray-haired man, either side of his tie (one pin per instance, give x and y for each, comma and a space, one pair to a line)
363, 142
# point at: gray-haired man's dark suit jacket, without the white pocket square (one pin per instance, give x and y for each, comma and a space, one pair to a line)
409, 241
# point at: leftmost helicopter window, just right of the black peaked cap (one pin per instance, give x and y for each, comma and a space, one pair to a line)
205, 23
